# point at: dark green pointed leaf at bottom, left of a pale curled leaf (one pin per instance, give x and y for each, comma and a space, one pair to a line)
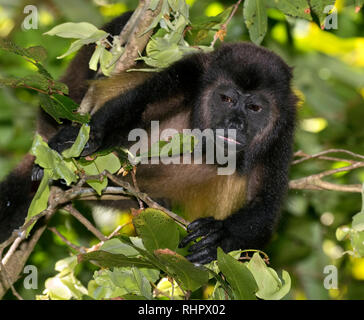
238, 275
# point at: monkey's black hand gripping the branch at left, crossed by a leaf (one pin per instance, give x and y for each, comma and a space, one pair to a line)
63, 140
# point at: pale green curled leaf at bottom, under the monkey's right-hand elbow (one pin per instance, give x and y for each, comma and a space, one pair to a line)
270, 287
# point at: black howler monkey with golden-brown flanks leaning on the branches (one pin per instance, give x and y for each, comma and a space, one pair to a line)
239, 86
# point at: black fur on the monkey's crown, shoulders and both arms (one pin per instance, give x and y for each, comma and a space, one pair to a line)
251, 69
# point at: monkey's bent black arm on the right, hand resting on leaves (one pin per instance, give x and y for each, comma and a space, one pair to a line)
252, 226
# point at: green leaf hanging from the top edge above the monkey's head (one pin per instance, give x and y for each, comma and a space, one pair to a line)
256, 19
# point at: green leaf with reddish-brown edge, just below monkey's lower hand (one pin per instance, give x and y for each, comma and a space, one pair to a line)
189, 276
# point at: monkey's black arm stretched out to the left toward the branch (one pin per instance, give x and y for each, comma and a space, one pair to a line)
121, 114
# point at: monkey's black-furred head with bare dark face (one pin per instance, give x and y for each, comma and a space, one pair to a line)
246, 89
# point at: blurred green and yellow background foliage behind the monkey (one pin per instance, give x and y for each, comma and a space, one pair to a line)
329, 75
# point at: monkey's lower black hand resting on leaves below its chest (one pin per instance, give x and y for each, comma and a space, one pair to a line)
214, 235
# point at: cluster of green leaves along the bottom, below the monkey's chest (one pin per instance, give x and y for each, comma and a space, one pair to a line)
134, 266
